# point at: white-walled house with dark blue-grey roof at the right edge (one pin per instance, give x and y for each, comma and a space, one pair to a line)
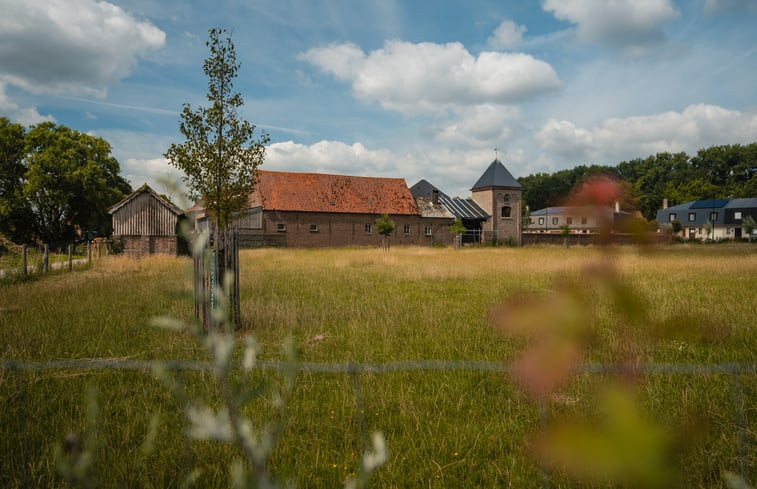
725, 216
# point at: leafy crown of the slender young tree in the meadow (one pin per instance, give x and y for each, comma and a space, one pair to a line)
220, 154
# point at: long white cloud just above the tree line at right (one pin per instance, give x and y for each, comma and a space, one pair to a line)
698, 126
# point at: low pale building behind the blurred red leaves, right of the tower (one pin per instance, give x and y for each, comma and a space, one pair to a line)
578, 219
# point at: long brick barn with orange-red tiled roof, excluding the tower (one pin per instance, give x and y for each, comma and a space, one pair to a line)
322, 210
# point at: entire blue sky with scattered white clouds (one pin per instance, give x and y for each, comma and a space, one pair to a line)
409, 89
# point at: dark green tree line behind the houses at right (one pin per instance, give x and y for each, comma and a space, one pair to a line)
717, 172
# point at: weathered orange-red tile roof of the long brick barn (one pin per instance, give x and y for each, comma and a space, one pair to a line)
317, 192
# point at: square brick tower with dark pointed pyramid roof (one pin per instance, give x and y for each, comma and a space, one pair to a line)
500, 195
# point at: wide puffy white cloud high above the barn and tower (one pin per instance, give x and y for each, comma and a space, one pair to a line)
428, 77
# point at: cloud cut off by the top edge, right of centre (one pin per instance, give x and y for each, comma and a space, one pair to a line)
625, 23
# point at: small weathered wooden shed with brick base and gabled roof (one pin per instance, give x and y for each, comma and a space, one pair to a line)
146, 223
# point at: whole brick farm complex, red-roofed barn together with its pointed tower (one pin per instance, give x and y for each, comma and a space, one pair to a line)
307, 210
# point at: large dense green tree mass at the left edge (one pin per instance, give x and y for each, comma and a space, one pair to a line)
56, 183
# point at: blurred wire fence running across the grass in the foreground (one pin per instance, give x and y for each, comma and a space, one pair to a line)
733, 371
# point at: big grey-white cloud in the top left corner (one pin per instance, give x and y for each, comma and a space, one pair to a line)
71, 46
